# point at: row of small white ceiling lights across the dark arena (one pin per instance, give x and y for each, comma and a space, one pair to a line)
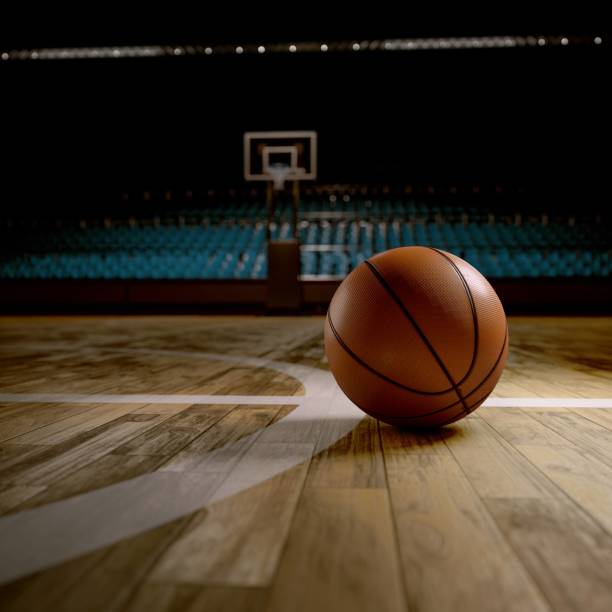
397, 44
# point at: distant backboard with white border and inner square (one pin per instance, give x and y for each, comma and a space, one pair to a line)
293, 155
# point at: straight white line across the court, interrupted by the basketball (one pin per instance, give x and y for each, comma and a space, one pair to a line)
141, 398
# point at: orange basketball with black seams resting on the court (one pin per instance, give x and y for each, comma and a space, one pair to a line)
416, 337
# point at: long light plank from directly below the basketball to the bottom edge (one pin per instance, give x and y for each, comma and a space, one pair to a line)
447, 537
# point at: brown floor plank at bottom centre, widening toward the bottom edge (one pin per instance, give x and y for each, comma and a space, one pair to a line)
340, 555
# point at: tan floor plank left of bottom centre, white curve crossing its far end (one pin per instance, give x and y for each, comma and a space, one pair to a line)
238, 540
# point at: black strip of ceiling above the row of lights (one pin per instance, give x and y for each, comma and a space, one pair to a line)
96, 25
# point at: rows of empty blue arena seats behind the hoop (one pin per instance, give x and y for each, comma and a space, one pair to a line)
228, 241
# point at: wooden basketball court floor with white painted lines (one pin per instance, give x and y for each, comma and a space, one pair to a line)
231, 503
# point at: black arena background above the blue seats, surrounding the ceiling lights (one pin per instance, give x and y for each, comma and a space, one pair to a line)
80, 132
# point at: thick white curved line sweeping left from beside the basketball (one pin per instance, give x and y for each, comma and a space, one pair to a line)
36, 539
